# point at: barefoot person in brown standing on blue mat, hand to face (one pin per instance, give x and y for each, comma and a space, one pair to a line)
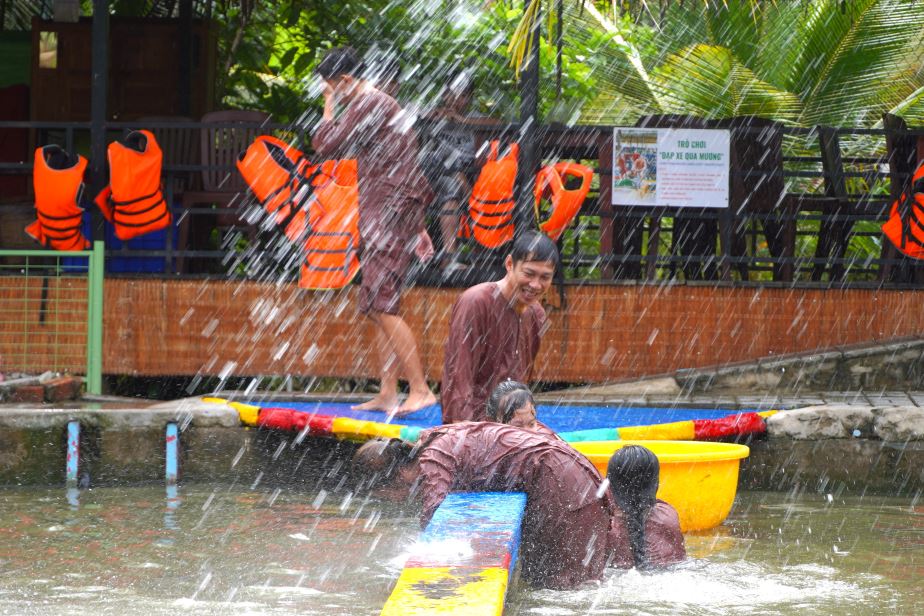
374, 130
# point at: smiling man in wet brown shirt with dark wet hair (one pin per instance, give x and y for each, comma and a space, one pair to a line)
494, 329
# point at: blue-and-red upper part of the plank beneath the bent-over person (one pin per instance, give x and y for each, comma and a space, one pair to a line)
472, 529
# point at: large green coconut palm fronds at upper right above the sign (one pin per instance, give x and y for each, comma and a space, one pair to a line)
807, 63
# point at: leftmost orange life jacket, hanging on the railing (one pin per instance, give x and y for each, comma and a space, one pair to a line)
58, 181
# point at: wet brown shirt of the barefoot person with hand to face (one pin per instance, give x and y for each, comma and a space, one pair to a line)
392, 190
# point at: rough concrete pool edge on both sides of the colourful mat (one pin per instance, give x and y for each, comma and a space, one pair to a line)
127, 445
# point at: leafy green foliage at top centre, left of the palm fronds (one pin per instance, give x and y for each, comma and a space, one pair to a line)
270, 52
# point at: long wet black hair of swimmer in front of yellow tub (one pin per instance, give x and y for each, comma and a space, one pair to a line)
633, 476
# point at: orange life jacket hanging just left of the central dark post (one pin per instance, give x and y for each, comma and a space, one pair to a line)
492, 201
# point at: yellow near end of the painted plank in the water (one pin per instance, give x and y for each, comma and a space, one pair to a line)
446, 590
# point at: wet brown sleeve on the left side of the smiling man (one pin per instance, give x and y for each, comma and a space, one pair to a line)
461, 358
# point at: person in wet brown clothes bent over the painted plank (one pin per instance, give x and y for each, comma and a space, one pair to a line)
564, 540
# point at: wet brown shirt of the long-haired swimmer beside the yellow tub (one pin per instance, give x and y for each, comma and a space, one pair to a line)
663, 539
